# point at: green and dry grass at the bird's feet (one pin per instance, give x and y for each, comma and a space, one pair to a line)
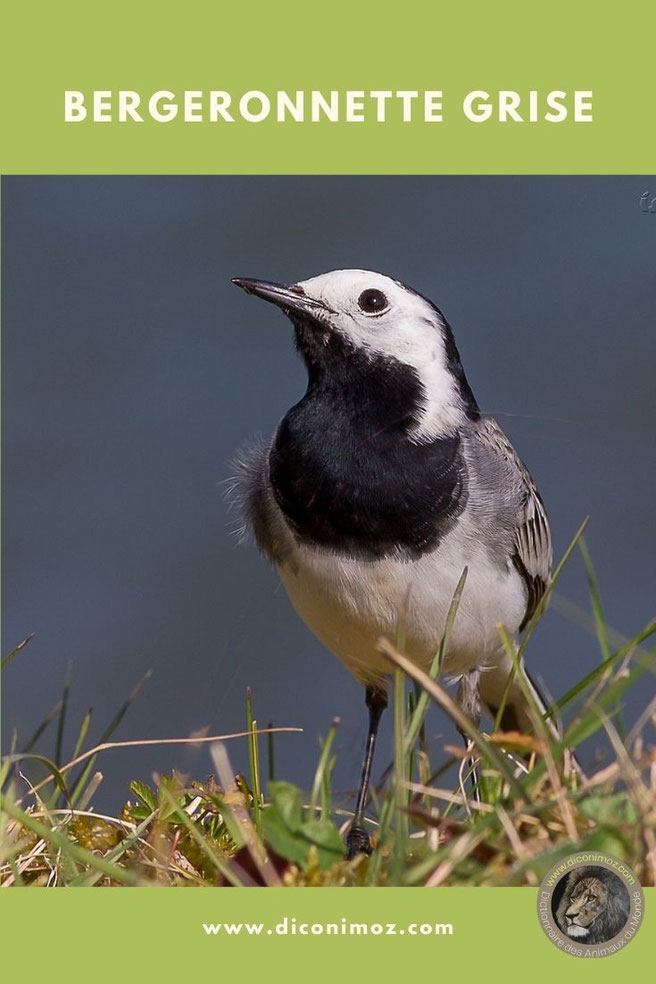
232, 829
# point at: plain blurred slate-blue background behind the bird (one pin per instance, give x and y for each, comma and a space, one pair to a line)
133, 370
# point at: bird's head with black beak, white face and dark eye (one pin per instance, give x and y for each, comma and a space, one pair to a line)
358, 318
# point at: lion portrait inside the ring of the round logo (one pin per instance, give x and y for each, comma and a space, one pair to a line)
594, 906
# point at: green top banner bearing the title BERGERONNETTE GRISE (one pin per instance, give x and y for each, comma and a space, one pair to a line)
347, 88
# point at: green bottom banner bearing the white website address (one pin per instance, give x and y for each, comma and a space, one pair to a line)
298, 934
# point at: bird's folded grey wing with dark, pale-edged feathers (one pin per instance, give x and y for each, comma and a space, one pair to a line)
532, 552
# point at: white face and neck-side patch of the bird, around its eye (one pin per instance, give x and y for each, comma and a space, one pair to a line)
383, 317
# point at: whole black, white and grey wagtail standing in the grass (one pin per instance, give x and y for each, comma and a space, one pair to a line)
381, 485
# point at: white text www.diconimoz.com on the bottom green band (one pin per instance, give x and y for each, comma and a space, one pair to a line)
290, 926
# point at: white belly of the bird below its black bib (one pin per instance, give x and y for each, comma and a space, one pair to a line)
349, 604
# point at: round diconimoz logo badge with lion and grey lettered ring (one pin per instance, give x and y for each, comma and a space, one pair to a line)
590, 904
